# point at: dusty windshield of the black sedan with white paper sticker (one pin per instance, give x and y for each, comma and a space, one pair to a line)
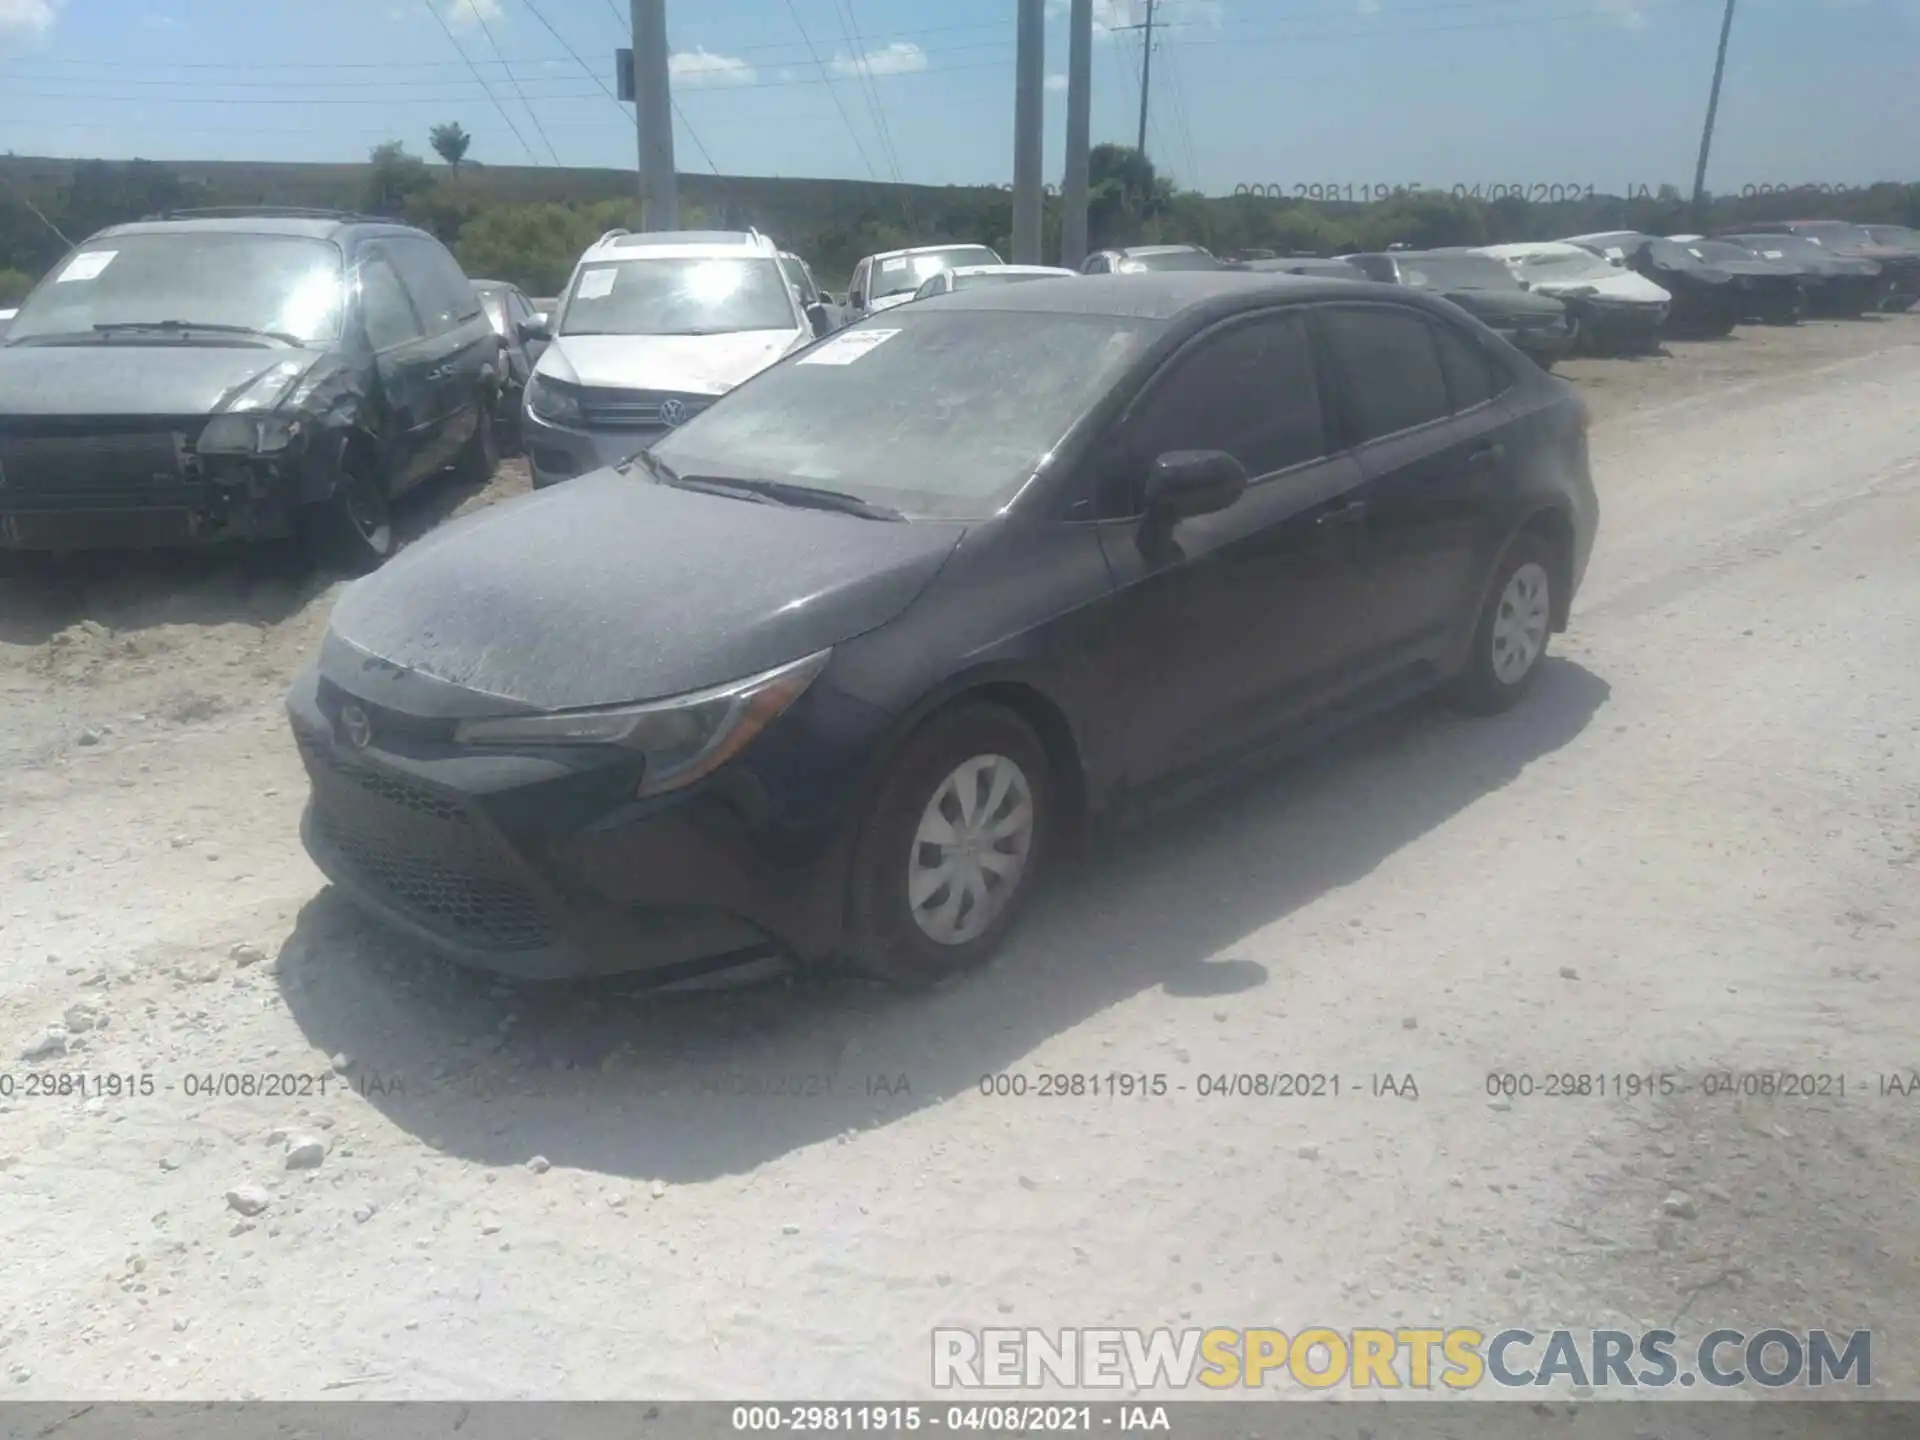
938, 414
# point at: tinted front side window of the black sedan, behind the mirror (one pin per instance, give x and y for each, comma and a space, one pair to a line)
1249, 389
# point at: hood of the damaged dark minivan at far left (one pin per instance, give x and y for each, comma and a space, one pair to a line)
137, 379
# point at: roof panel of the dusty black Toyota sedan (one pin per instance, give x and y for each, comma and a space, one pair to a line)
1157, 297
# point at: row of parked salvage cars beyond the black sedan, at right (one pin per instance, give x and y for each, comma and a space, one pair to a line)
1621, 291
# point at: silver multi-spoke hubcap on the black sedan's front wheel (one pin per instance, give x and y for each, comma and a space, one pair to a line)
971, 850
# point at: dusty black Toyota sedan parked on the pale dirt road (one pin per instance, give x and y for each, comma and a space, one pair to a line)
842, 663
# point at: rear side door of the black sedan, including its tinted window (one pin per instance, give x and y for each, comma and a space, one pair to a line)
1422, 406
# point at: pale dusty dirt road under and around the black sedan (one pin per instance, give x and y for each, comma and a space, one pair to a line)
1698, 848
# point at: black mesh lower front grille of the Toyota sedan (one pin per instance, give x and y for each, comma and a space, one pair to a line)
423, 853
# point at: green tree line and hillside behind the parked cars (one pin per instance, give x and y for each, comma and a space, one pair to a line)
529, 228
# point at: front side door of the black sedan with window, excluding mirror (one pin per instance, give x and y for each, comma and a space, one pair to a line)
1232, 625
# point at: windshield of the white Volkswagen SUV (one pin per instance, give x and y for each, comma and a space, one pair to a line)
679, 297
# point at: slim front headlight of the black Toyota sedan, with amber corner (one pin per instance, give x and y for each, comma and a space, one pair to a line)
684, 738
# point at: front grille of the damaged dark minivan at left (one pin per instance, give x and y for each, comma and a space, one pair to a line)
57, 460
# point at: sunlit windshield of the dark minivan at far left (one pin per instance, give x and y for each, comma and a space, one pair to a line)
274, 283
